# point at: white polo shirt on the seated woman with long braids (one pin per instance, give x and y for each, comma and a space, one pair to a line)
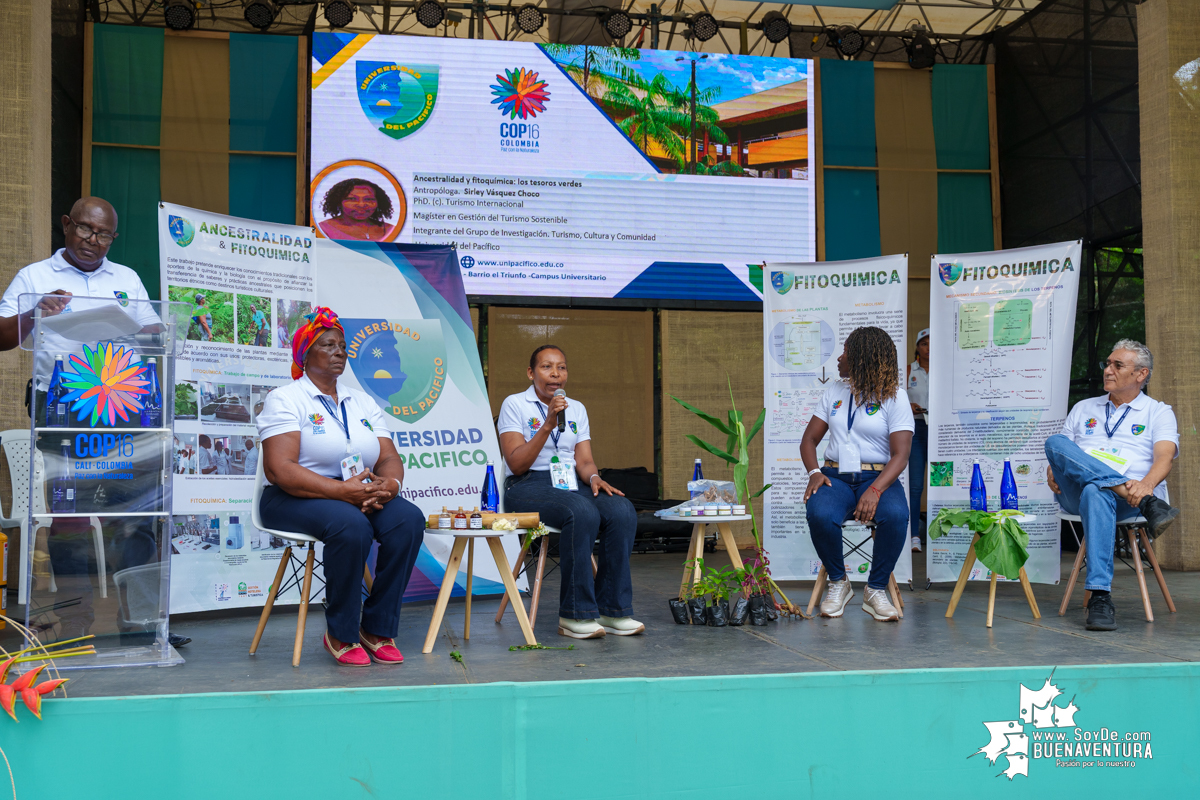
873, 423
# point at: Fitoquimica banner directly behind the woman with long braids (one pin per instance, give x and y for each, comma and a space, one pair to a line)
808, 314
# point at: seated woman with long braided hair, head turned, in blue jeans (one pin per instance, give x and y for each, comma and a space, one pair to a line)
871, 424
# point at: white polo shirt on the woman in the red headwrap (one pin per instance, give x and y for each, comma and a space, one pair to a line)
298, 407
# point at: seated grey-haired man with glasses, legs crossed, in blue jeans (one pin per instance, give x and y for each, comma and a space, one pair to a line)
1109, 464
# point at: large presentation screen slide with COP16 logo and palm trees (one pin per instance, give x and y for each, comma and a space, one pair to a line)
567, 171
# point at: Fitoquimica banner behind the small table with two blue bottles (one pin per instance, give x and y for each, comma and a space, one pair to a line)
1001, 334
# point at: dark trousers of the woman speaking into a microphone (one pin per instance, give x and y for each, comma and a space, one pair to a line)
583, 519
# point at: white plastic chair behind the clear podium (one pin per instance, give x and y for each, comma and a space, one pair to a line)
16, 449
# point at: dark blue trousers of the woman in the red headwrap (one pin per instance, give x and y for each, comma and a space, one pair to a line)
347, 534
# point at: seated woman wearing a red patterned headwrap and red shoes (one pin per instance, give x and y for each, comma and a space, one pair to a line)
334, 474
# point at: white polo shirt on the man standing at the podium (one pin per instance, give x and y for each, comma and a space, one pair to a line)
107, 281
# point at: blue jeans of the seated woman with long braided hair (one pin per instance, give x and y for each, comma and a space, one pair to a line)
830, 507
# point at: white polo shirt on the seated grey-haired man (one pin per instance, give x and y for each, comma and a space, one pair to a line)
1135, 434
